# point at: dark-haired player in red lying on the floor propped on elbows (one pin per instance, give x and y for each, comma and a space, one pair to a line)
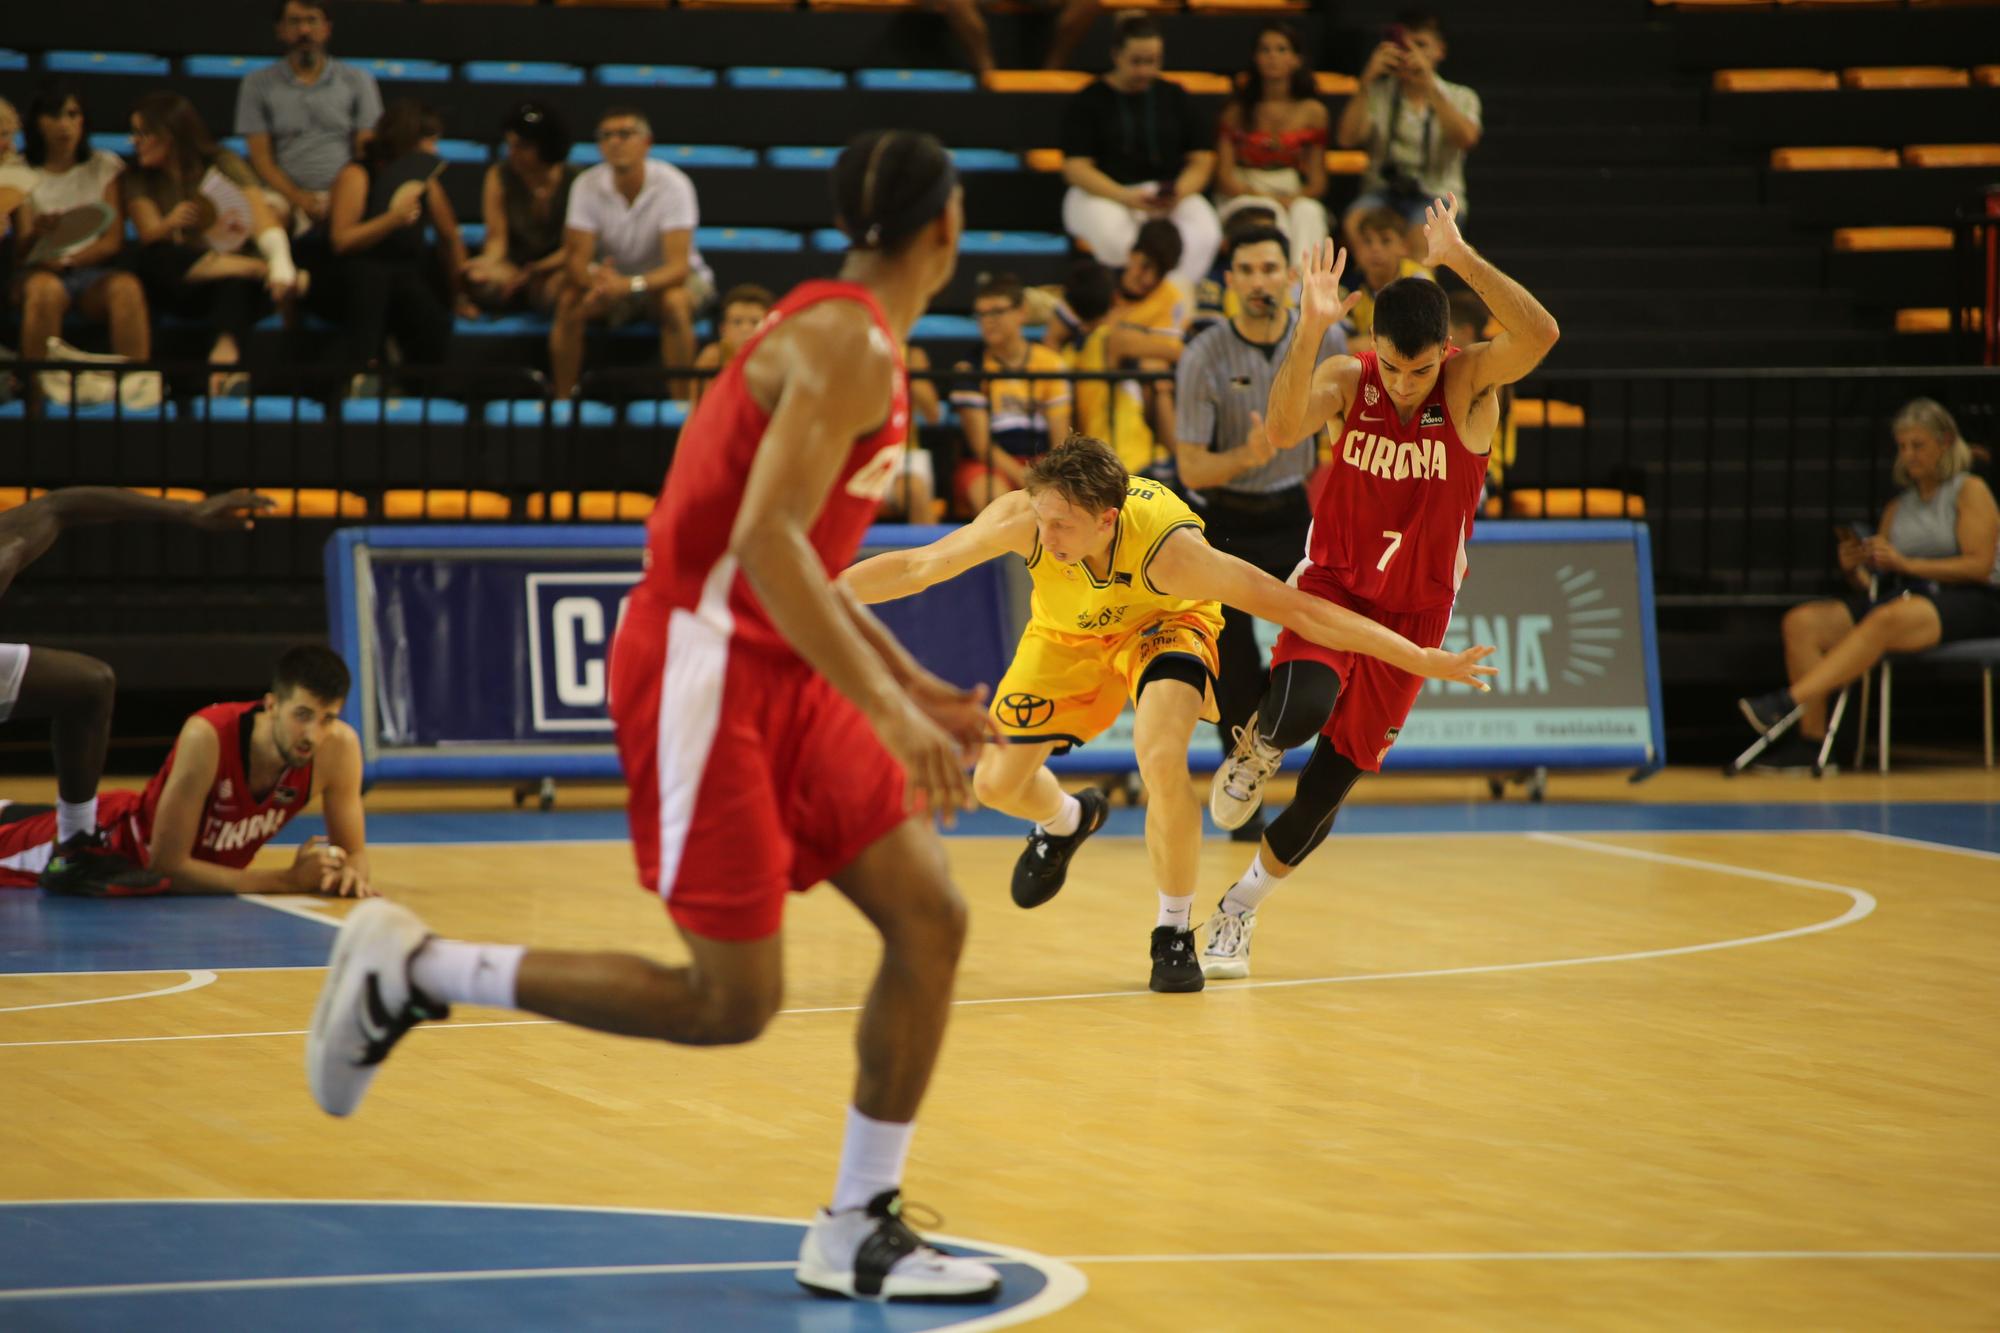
237, 776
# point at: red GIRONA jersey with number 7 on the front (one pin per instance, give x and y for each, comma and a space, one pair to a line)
1399, 501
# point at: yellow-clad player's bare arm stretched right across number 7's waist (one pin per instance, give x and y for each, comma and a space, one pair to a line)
1189, 567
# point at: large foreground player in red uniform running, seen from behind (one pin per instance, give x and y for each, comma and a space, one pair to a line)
765, 726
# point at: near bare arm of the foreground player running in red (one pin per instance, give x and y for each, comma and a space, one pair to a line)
827, 375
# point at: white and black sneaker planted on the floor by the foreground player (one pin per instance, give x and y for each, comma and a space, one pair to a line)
873, 1256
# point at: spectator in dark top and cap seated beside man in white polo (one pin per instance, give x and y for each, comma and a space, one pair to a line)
525, 203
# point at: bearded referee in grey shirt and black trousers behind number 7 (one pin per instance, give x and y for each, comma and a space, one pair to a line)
1249, 489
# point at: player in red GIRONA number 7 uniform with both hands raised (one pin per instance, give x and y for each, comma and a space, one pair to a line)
1413, 425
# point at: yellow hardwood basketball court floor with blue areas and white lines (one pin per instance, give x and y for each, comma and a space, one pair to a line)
1695, 1054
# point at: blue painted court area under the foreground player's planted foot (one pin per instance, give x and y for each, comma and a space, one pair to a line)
175, 1266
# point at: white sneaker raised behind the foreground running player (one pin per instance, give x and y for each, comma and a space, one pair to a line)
367, 1004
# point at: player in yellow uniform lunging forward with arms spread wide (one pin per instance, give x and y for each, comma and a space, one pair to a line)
1127, 603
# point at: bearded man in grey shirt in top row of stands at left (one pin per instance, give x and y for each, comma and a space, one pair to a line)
307, 115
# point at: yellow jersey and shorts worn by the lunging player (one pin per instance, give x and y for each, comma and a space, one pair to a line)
1091, 641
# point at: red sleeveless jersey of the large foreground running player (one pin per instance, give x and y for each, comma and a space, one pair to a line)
689, 533
